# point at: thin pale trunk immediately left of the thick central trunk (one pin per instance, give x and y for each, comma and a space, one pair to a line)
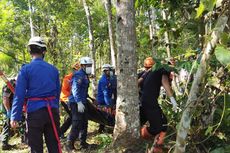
111, 31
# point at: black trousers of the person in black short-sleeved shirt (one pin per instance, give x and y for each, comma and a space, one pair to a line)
155, 117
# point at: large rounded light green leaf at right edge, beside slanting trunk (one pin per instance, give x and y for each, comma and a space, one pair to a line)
222, 55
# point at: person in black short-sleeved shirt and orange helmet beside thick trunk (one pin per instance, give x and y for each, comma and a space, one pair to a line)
152, 81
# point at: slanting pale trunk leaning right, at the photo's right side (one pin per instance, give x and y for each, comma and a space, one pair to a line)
194, 92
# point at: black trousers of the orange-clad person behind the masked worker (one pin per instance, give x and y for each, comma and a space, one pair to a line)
67, 123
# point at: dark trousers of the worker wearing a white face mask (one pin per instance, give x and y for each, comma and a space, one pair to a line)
79, 124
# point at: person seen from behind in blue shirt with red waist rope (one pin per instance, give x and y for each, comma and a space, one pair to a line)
39, 83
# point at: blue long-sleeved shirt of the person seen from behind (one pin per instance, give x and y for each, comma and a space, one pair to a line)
38, 79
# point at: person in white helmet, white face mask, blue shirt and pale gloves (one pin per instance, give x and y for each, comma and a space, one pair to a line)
78, 104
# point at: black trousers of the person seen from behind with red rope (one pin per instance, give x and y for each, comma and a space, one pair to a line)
39, 124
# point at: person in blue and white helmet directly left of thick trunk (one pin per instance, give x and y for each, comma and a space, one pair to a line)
104, 95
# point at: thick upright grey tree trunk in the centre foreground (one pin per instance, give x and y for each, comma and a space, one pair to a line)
126, 130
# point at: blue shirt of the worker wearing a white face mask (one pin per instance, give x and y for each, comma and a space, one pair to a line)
80, 85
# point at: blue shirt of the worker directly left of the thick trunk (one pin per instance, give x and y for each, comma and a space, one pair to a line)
104, 95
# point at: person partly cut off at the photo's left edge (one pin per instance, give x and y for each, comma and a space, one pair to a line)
7, 99
